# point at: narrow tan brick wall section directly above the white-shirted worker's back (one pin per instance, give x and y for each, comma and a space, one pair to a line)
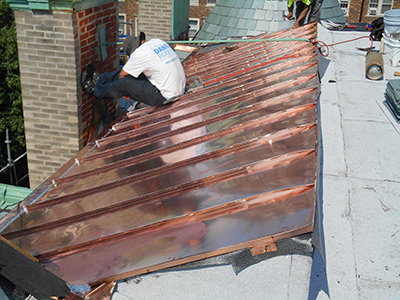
155, 18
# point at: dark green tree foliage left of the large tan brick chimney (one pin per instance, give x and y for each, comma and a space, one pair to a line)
11, 115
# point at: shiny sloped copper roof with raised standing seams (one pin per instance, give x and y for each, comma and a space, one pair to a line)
230, 165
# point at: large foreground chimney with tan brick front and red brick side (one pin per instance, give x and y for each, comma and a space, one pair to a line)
54, 47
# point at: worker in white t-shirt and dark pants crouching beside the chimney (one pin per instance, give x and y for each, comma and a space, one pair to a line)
153, 75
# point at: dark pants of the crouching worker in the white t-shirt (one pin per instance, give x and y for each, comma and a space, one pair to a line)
138, 89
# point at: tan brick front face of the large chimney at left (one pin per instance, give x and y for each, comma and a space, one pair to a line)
48, 55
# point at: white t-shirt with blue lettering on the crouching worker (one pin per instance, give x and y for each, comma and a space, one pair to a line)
161, 66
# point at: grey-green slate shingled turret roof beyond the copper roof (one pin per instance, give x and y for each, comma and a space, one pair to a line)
238, 18
